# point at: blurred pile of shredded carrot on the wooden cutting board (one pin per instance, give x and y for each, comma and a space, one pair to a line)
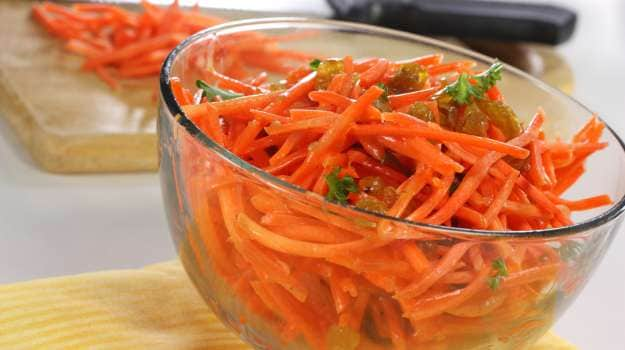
121, 44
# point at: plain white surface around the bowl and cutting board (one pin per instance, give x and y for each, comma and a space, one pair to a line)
53, 225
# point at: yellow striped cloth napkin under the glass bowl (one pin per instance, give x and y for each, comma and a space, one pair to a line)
152, 308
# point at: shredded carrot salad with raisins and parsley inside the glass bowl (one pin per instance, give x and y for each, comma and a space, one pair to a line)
420, 139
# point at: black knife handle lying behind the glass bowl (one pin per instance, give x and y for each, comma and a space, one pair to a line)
465, 19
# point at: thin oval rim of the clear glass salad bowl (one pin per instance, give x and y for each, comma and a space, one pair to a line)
168, 99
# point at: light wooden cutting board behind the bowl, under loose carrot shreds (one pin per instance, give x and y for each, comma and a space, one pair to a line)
71, 122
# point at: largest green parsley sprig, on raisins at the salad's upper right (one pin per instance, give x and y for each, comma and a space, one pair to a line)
463, 91
